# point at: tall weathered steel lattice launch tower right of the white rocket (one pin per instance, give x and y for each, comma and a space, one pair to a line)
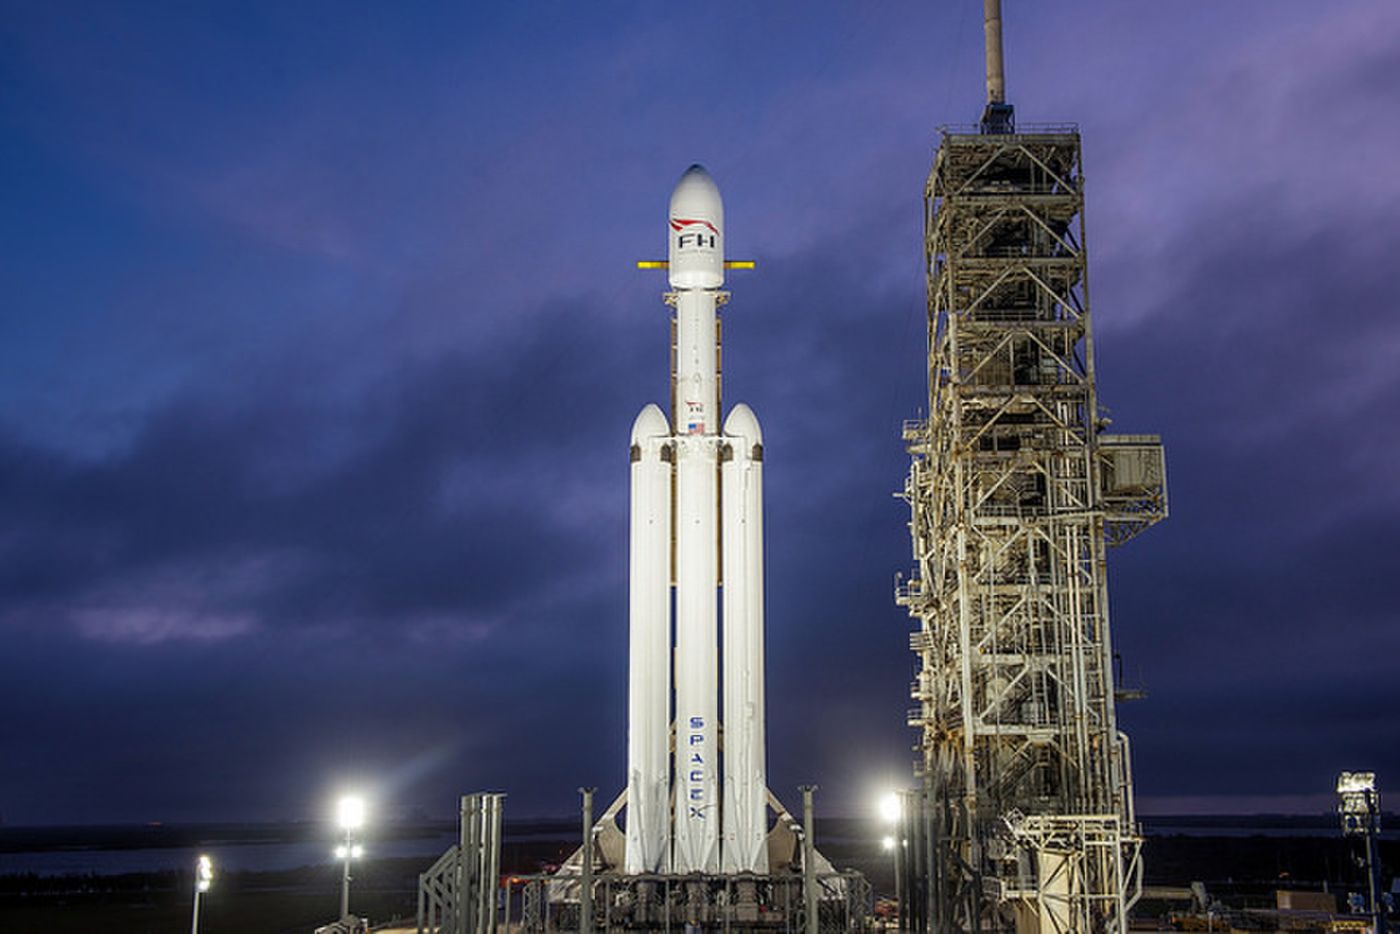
1014, 495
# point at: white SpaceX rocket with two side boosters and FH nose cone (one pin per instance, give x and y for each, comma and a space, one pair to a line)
696, 520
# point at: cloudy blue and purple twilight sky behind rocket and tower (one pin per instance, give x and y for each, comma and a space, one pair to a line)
323, 340
